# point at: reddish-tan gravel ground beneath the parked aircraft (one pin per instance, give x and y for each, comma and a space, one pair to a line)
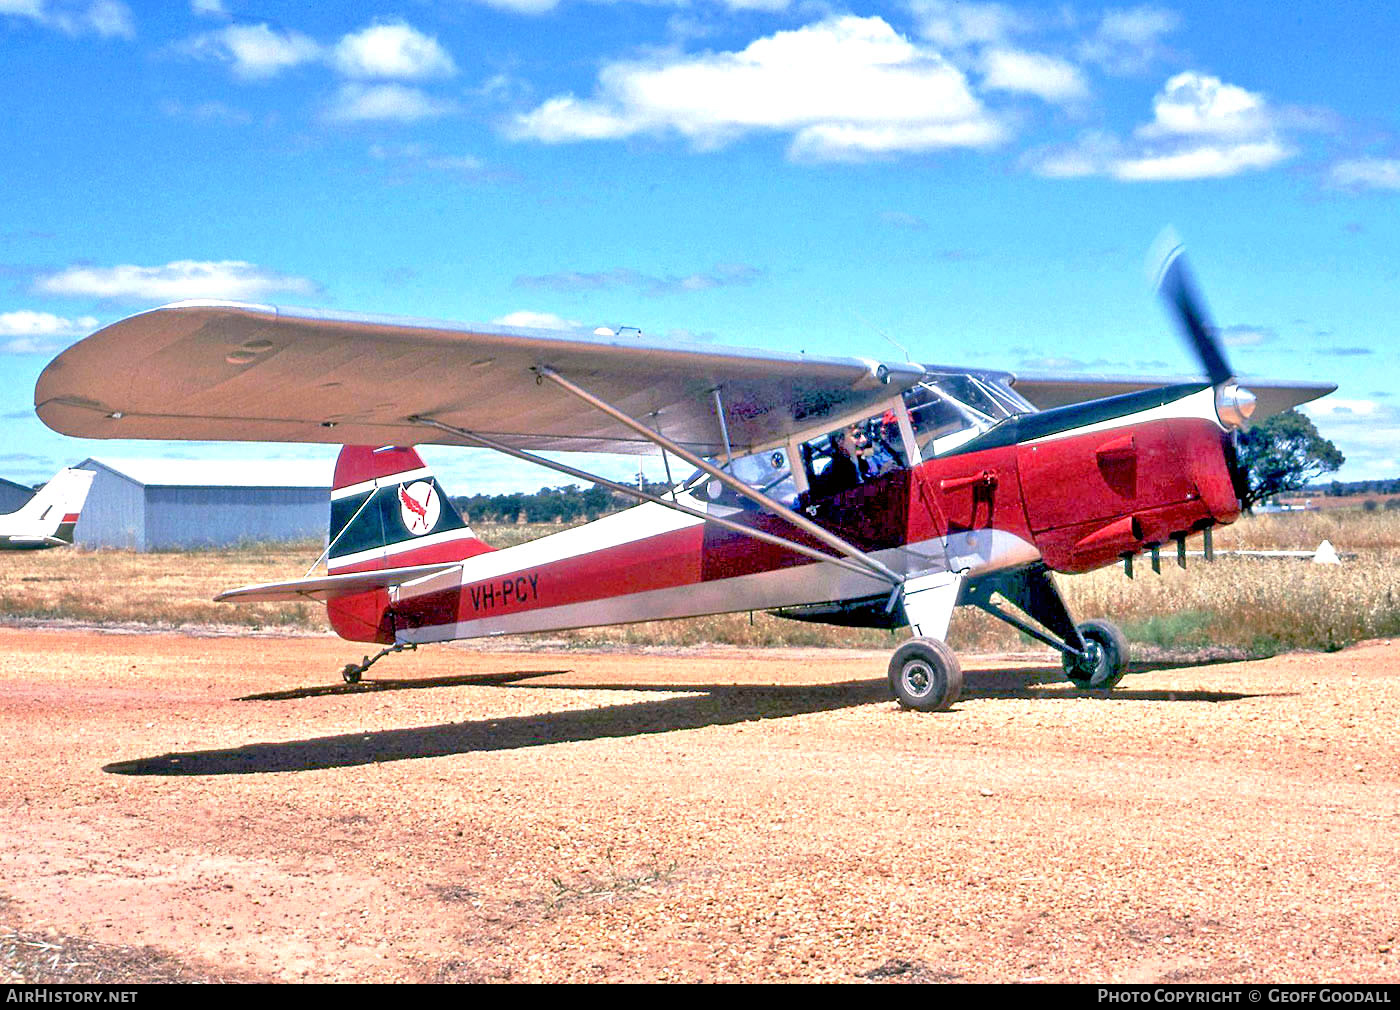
225, 808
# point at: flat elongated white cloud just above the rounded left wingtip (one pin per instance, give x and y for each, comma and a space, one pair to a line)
232, 279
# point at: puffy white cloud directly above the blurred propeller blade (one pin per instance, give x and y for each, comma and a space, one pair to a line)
1202, 128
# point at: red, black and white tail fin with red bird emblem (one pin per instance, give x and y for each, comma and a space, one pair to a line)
388, 511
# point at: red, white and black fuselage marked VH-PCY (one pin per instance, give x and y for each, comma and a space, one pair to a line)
1073, 490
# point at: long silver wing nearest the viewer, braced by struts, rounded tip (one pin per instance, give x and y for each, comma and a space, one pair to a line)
202, 371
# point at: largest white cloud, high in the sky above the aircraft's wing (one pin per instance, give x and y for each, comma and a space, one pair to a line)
845, 88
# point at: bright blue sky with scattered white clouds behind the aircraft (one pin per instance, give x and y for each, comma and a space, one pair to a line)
975, 183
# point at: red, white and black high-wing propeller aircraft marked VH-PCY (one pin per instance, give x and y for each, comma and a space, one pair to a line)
845, 491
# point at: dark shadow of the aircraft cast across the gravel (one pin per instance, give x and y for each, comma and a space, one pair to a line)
698, 708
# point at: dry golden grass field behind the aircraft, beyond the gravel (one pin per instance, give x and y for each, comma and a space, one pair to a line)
1235, 607
